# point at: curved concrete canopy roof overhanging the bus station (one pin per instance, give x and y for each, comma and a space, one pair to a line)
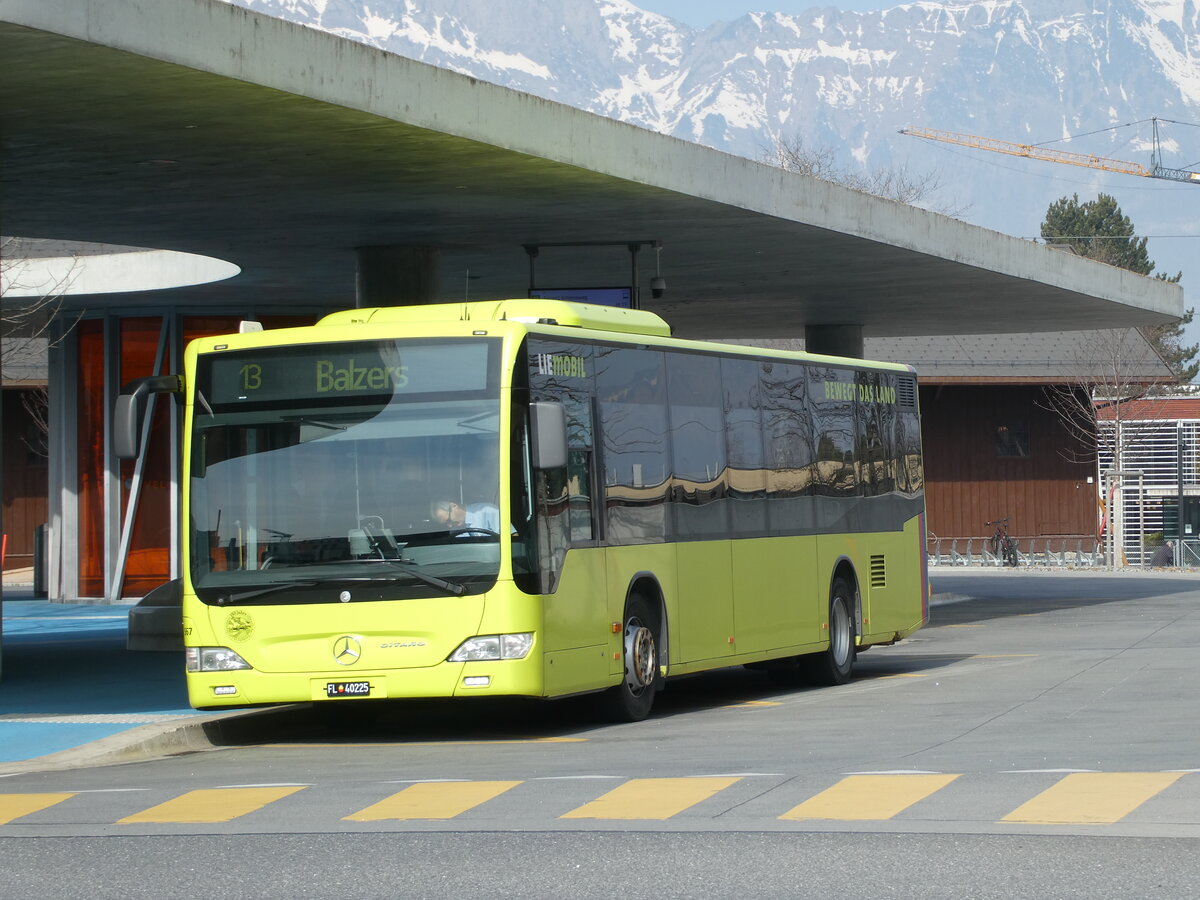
201, 128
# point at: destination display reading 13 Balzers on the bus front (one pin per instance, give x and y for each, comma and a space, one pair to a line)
335, 373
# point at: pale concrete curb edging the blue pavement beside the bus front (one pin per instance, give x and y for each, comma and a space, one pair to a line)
160, 740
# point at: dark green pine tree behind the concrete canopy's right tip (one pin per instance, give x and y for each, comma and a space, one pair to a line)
1099, 230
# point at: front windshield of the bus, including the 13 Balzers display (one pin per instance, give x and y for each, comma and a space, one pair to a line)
359, 471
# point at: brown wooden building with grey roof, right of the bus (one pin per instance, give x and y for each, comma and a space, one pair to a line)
994, 445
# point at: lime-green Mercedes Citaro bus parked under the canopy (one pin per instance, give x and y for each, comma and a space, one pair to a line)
535, 499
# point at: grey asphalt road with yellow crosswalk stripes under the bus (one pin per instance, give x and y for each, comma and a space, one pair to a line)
1041, 739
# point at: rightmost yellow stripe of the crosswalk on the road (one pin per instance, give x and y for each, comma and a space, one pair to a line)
1093, 799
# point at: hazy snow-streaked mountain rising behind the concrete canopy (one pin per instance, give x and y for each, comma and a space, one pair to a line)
1018, 70
